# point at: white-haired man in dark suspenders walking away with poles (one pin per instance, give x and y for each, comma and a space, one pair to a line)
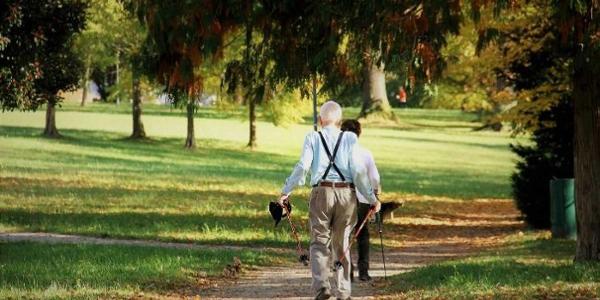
336, 169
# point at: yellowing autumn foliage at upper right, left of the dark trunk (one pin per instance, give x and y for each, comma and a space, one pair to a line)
503, 68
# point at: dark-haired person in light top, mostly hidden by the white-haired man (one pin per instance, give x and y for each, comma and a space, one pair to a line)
363, 203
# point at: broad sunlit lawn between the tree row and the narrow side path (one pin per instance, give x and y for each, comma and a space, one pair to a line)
95, 182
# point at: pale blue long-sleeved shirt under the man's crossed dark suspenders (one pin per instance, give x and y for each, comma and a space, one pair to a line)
315, 159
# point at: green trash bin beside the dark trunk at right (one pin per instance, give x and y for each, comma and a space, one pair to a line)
562, 208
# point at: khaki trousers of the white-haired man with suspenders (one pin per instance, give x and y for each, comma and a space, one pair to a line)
332, 217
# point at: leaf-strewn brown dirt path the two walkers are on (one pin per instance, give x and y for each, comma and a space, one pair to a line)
422, 236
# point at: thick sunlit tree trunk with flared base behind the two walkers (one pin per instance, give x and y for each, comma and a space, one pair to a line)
374, 91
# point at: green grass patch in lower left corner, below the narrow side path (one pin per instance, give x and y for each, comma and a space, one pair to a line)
34, 270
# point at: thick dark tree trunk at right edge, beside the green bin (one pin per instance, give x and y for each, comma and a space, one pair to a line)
586, 96
